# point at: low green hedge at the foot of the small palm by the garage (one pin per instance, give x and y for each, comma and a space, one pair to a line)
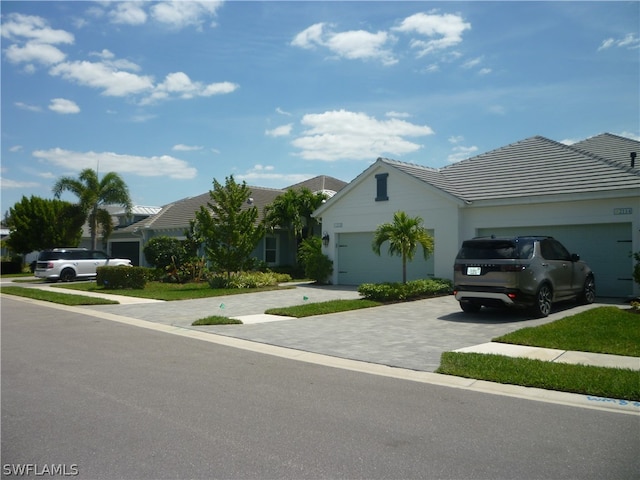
394, 292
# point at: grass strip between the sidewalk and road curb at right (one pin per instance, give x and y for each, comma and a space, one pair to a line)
587, 380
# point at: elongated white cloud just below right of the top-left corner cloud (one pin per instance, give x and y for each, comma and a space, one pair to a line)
113, 82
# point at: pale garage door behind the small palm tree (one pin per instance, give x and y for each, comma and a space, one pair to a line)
358, 264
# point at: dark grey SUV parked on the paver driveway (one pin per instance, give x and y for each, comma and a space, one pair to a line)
532, 272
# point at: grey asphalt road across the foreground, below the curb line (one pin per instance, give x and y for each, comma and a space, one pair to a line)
110, 401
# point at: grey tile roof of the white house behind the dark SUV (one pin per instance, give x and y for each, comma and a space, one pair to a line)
532, 167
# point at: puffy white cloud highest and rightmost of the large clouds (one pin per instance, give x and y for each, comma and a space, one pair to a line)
443, 31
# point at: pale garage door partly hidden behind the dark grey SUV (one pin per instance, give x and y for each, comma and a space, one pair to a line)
605, 248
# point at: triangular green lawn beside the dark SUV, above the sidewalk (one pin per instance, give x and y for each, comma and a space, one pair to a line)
599, 330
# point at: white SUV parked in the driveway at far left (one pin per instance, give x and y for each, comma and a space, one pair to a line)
67, 264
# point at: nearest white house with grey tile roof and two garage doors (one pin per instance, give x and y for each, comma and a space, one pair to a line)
586, 195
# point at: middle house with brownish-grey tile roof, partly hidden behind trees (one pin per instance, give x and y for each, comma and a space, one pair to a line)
276, 248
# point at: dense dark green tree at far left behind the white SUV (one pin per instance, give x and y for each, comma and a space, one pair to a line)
38, 224
